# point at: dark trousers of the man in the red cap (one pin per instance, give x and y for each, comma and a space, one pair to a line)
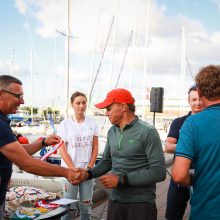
131, 211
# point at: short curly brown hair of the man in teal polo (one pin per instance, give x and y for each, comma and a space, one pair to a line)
208, 82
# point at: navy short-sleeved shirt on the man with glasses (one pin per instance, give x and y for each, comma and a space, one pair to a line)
6, 137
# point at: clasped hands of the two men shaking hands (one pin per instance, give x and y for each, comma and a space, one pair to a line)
77, 175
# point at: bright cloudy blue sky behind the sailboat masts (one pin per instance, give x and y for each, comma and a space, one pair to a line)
133, 44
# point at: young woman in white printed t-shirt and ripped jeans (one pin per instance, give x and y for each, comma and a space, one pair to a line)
81, 137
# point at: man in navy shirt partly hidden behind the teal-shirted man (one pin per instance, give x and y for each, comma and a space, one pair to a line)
178, 196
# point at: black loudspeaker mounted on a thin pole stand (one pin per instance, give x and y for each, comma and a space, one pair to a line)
156, 99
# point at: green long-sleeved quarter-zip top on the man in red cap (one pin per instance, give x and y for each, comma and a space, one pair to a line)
134, 151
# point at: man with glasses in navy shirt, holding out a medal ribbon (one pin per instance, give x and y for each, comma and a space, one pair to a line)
11, 151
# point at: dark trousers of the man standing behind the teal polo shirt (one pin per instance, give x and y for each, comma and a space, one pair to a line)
177, 199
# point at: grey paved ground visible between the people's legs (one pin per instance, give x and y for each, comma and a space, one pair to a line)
101, 211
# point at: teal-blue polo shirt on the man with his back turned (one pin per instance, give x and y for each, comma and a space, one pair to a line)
200, 142
